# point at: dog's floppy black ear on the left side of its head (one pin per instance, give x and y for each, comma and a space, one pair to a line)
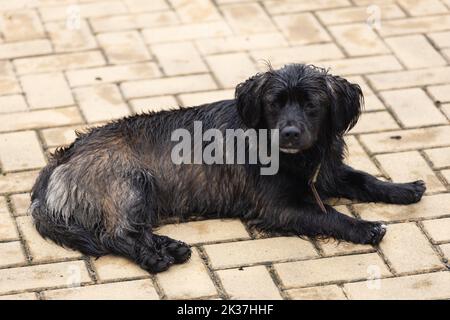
249, 95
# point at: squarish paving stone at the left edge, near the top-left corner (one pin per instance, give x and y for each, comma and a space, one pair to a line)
20, 25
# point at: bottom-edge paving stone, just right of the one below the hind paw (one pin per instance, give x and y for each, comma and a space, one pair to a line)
249, 283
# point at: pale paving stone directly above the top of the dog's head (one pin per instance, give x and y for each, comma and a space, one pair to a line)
281, 56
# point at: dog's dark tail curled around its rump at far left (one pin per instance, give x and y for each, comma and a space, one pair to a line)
70, 235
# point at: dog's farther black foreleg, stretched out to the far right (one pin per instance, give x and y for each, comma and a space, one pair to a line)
361, 186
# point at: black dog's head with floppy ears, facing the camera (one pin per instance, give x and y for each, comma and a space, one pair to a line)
301, 101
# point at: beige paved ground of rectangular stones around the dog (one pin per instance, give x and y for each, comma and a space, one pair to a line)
59, 73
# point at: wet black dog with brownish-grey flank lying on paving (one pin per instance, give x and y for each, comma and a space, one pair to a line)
108, 191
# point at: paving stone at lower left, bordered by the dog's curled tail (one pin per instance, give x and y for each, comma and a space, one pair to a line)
42, 250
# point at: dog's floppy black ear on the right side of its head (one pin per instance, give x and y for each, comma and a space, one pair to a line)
346, 103
